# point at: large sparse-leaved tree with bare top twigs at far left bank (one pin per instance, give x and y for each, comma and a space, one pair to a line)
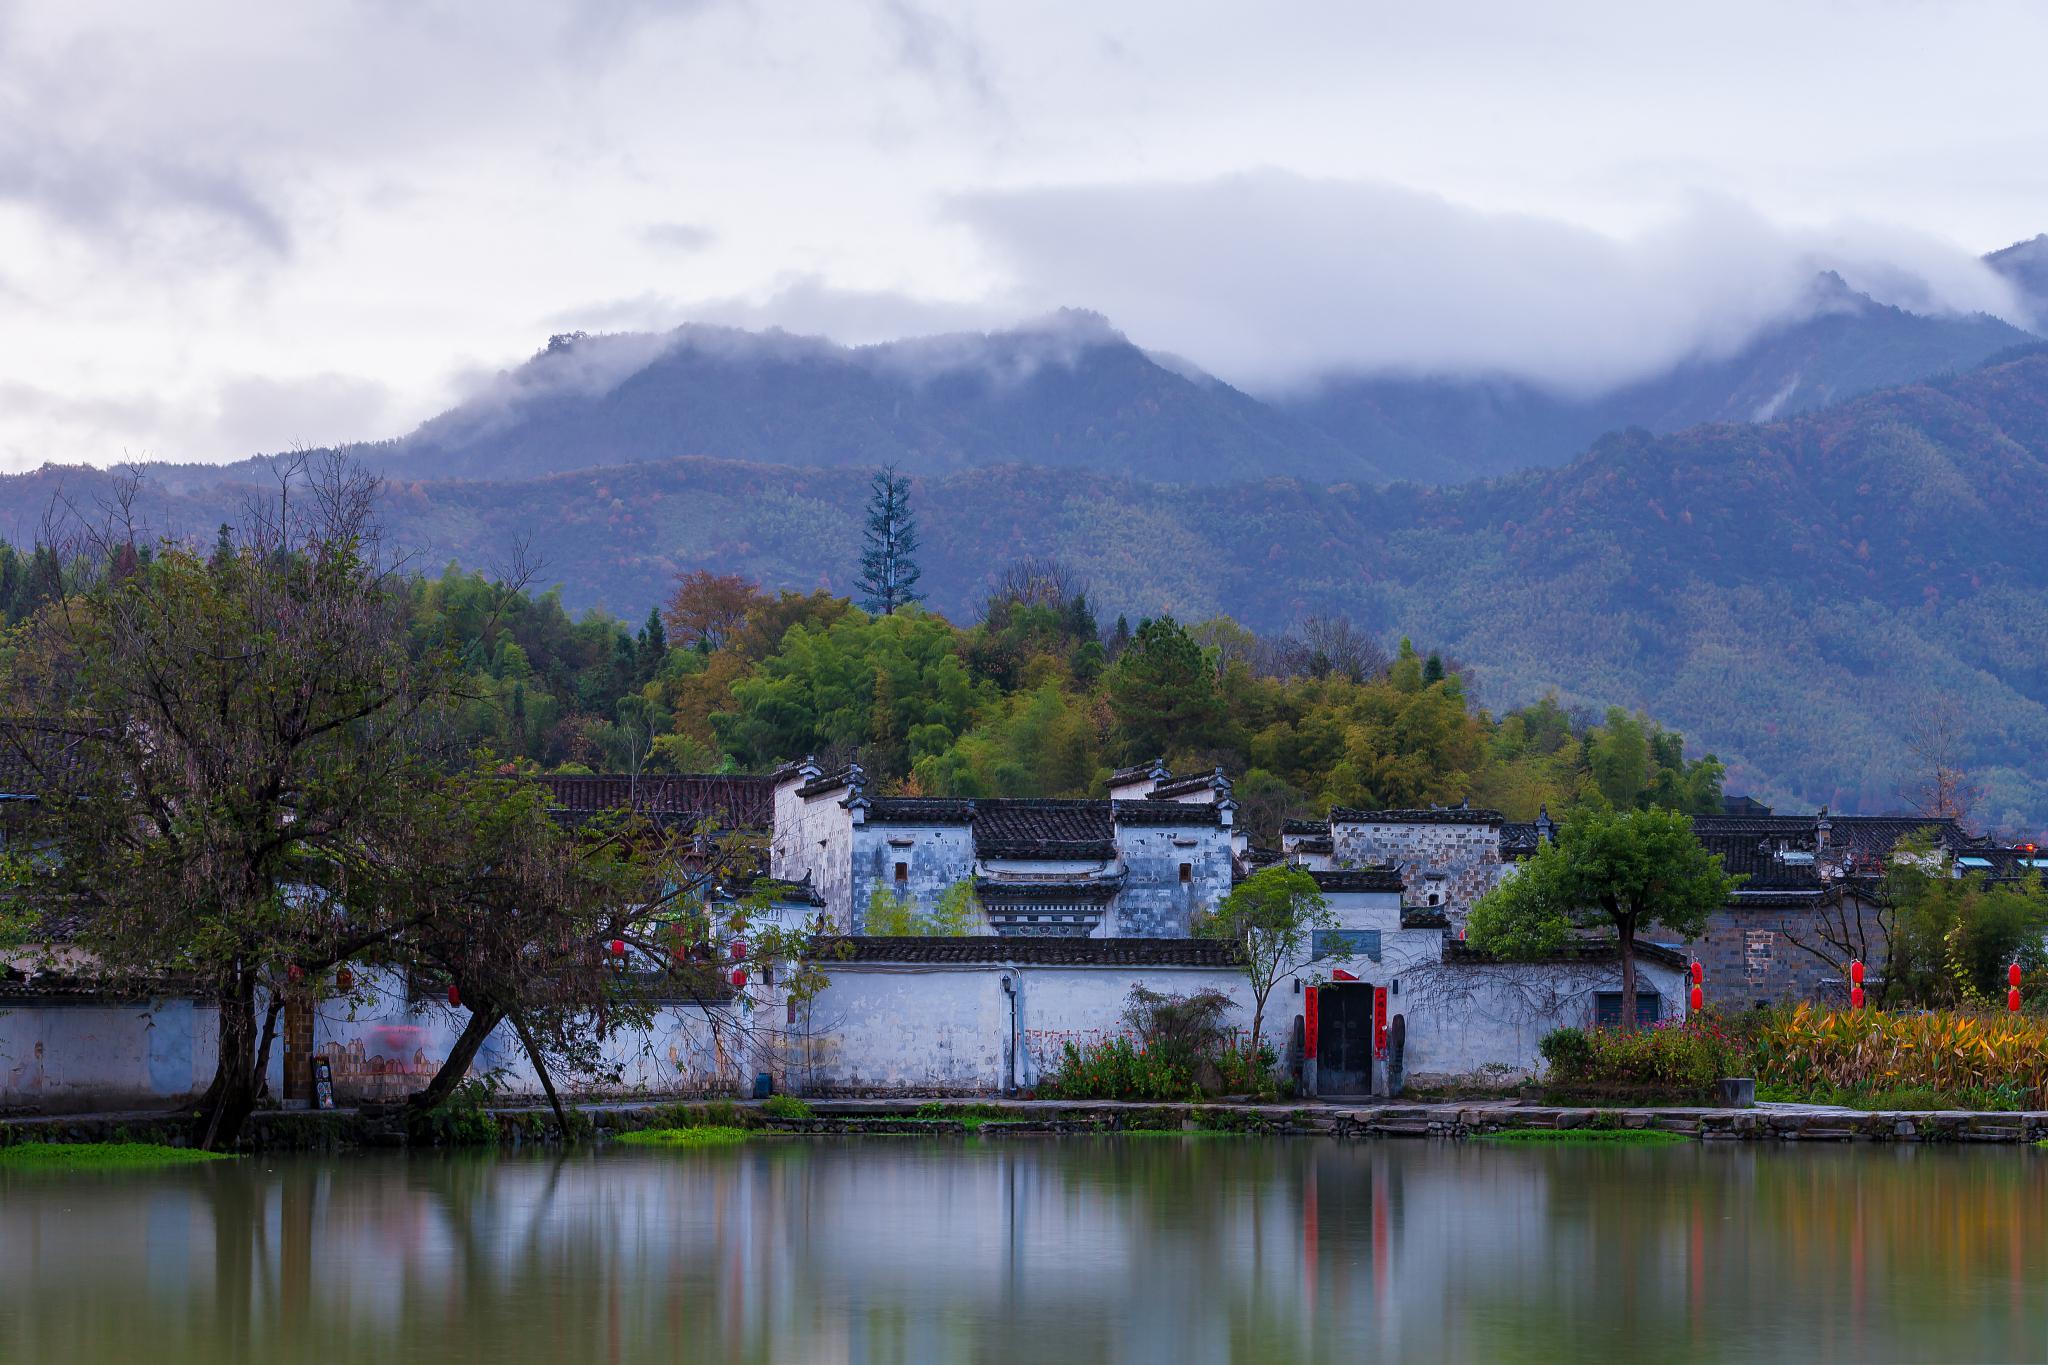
249, 734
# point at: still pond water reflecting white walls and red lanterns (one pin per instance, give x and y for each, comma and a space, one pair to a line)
1074, 1249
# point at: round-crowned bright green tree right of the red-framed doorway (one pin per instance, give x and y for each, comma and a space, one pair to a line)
1617, 871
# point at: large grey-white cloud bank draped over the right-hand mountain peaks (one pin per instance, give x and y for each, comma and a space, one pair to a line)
1273, 279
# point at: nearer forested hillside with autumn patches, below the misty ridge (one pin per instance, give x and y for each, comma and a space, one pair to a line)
1791, 597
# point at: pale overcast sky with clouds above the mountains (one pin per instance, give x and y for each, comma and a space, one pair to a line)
232, 228
